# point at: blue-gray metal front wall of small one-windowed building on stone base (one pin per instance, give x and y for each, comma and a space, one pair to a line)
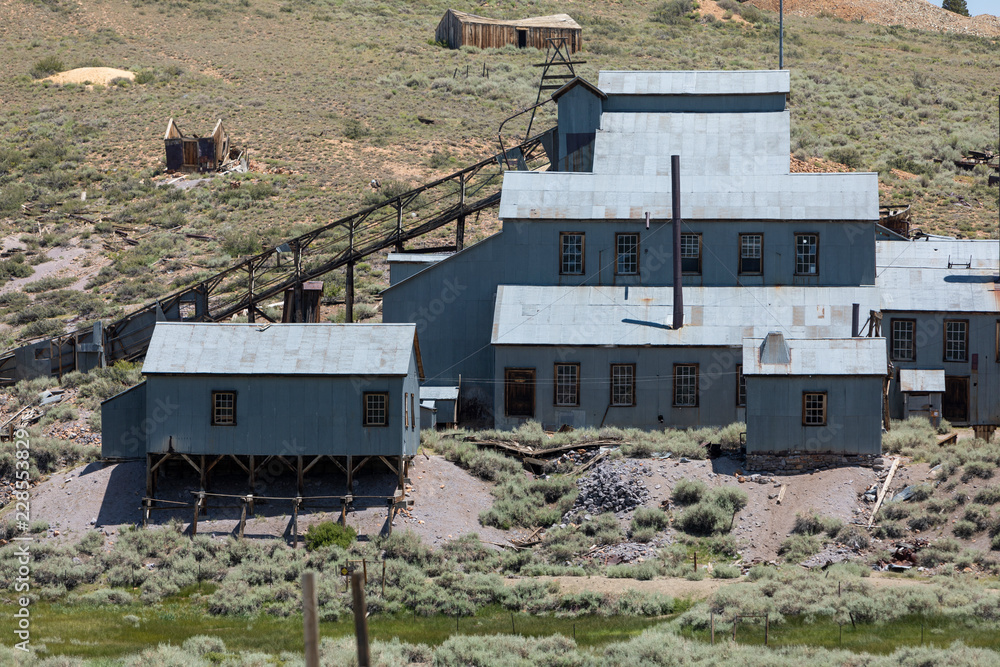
854, 415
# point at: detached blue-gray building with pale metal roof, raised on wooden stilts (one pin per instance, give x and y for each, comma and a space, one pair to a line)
347, 393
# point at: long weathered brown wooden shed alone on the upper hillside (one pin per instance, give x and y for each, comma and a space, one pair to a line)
458, 28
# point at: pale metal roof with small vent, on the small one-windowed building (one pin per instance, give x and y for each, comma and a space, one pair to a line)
817, 356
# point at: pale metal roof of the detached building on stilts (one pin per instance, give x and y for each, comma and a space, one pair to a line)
280, 349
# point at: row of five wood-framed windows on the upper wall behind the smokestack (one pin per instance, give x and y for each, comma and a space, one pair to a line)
750, 262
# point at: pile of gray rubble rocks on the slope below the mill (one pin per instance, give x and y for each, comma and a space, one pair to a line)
611, 487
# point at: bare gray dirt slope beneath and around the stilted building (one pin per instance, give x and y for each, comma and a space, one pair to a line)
447, 501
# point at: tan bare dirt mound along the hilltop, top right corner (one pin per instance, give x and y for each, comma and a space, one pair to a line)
918, 14
